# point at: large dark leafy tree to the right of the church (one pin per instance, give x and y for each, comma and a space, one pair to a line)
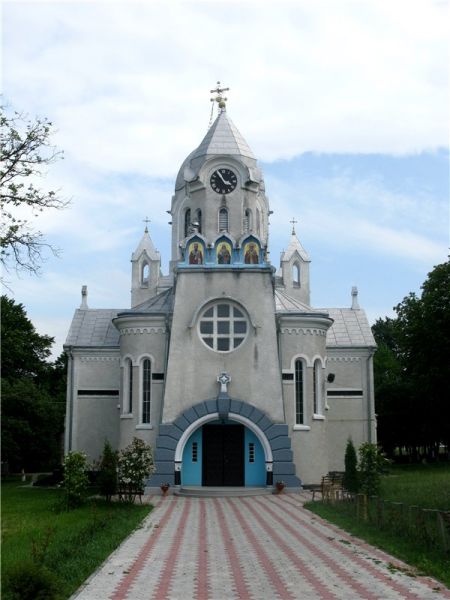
412, 370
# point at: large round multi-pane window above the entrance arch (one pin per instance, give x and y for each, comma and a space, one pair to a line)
223, 327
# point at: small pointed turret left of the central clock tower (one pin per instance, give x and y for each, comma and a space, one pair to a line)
146, 270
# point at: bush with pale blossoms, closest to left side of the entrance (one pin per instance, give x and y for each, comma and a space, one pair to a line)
135, 465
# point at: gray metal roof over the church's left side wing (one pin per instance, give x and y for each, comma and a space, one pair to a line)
93, 327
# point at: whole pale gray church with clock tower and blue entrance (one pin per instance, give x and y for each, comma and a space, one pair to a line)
222, 365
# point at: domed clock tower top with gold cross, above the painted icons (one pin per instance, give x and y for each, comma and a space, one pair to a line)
219, 189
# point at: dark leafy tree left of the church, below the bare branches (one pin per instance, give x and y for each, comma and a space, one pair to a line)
33, 393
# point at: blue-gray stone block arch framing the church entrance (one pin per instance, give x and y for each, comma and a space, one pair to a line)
170, 434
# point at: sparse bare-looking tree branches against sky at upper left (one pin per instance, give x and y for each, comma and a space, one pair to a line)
25, 151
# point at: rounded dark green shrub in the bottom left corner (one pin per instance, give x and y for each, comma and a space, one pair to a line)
30, 581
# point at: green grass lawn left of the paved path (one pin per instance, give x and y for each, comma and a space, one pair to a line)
34, 527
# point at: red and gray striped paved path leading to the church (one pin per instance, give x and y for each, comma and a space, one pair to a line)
260, 548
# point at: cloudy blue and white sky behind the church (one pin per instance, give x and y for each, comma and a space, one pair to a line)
344, 103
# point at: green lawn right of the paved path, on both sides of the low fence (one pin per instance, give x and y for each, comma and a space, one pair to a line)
427, 486
